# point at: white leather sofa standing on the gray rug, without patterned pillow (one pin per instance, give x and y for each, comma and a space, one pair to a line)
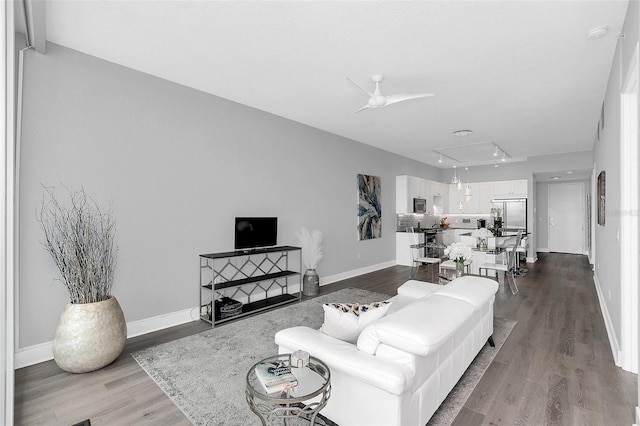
404, 364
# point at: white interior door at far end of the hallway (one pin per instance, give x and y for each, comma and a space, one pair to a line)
566, 218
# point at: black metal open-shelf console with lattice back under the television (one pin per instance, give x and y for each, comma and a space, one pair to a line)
260, 278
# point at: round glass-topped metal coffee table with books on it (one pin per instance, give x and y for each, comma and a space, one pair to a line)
306, 399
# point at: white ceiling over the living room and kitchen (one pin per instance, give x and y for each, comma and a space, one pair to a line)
521, 74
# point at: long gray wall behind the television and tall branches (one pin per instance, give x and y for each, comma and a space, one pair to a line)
177, 166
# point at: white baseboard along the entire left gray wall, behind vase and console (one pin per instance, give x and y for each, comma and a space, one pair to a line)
31, 355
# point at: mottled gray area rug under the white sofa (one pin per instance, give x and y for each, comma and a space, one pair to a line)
204, 374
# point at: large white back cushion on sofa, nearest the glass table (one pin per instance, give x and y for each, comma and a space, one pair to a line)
419, 328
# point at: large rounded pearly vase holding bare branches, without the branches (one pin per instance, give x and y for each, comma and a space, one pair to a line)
89, 336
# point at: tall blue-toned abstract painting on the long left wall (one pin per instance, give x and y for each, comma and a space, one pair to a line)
369, 207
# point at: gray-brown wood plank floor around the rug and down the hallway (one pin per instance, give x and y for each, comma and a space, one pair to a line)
555, 368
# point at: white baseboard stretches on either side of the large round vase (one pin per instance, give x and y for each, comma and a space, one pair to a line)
44, 351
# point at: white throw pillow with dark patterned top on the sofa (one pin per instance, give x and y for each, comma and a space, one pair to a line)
345, 321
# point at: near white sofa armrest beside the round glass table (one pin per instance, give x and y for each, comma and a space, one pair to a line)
345, 357
